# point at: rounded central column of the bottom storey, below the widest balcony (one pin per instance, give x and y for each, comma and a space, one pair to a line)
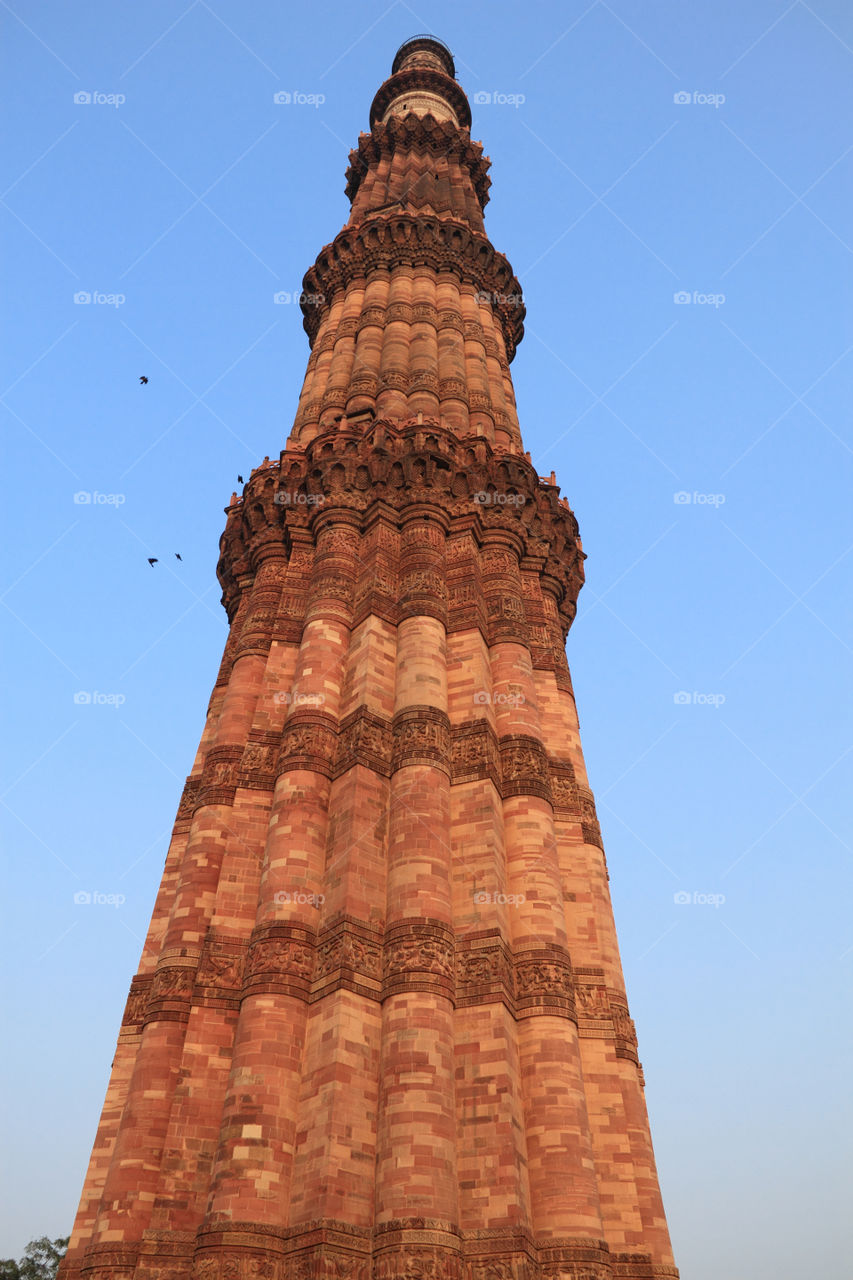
417, 1142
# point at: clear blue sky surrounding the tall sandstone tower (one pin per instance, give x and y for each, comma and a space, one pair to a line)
198, 199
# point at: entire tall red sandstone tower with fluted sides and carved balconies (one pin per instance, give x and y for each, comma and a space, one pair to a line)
380, 1028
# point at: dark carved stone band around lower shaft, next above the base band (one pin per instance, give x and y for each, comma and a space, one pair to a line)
412, 956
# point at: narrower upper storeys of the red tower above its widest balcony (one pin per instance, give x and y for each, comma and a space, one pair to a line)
410, 310
